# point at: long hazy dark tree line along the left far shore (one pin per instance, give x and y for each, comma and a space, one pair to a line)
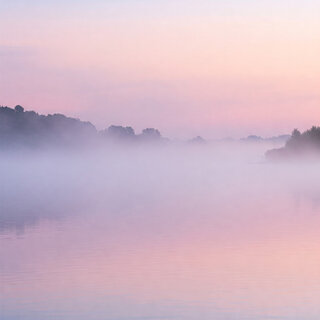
30, 129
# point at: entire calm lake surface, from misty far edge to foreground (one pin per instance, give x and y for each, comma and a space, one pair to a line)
159, 235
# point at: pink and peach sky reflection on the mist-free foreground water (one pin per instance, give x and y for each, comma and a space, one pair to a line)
242, 260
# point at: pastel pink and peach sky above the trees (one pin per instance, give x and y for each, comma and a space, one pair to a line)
187, 67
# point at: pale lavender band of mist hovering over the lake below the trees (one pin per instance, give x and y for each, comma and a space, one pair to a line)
52, 184
